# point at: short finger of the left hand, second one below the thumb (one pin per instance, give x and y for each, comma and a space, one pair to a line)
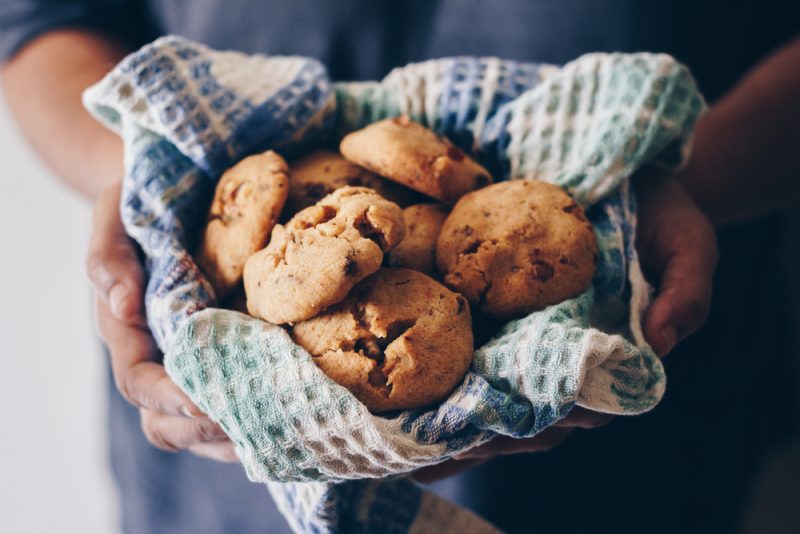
176, 433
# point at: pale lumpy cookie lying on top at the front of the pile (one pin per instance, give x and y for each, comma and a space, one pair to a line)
320, 254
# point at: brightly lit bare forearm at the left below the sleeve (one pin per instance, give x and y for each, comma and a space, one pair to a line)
43, 85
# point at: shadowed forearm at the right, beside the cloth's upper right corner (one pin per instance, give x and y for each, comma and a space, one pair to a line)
746, 159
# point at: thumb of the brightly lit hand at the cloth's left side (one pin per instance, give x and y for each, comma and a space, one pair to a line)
112, 263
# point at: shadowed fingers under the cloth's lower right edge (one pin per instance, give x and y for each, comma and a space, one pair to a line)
548, 439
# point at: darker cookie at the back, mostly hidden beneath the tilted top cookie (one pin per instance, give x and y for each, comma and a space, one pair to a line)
323, 172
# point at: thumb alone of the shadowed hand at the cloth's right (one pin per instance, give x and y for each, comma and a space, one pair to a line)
684, 295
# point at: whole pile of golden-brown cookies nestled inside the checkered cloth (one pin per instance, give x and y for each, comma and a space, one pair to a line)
380, 295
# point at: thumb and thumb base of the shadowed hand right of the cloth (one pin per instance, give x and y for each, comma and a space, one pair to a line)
678, 250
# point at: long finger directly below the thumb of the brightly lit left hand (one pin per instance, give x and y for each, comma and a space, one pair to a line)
139, 378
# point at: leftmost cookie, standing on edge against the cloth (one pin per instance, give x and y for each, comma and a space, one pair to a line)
246, 205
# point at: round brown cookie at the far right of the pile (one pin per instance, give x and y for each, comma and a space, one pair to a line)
517, 247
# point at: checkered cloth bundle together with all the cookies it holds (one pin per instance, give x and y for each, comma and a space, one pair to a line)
423, 263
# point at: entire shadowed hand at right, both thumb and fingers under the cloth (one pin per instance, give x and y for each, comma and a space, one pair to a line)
678, 249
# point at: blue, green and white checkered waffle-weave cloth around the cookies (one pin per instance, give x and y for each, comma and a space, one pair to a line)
186, 113
